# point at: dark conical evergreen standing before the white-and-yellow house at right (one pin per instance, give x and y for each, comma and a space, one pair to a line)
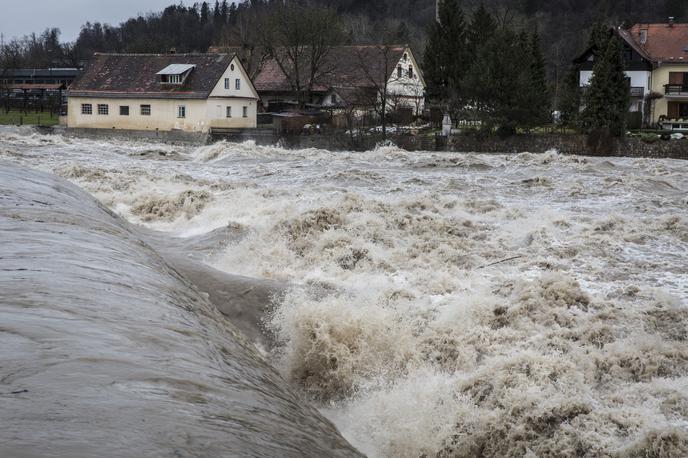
608, 96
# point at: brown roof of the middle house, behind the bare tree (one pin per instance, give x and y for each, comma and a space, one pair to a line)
354, 66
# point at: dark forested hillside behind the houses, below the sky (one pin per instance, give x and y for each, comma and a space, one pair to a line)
563, 26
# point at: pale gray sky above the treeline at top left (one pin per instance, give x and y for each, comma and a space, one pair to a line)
21, 17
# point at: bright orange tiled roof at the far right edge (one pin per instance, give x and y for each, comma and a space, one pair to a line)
665, 42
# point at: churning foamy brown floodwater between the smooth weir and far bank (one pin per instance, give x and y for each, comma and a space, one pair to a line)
436, 304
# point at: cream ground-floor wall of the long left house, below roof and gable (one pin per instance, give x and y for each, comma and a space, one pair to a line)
201, 115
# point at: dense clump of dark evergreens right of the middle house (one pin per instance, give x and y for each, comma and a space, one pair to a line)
486, 68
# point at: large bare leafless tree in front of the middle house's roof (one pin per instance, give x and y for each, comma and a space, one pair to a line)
300, 40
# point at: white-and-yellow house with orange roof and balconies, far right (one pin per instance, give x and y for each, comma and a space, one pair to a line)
656, 65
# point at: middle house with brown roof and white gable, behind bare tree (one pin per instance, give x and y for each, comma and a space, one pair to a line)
352, 78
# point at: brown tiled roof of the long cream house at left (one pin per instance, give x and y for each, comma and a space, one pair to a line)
136, 75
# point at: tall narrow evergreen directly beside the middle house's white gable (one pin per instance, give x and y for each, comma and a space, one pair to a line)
445, 55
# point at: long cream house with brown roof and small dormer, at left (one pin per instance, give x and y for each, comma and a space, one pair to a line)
186, 92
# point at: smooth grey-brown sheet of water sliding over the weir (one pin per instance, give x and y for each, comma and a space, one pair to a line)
108, 351
